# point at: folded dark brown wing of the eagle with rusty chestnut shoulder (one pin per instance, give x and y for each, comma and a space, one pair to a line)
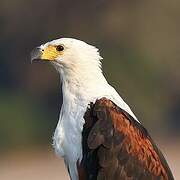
116, 147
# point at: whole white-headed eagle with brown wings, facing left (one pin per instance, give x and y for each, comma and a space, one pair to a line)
97, 134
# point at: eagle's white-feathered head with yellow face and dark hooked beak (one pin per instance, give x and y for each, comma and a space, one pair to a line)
69, 55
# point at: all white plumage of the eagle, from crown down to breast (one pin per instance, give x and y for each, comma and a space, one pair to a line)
82, 82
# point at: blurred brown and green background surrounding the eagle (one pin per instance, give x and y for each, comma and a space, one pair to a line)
140, 43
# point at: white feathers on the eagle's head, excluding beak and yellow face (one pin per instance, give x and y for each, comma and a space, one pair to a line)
79, 58
